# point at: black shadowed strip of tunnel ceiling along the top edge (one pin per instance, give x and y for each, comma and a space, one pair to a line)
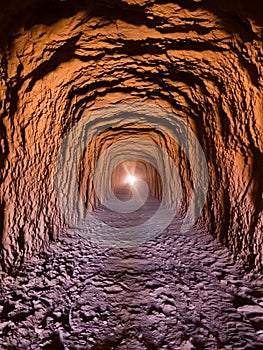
16, 14
